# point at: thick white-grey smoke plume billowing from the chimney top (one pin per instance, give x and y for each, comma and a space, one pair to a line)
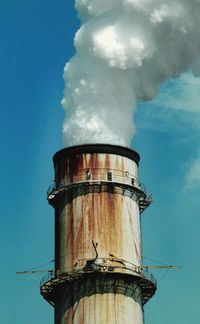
124, 50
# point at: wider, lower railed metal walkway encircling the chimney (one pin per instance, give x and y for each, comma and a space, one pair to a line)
99, 280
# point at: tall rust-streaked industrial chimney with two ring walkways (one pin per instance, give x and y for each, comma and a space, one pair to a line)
98, 200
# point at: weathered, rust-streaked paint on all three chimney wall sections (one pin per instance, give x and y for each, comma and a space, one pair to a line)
110, 219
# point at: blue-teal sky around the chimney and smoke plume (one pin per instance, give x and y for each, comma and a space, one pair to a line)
36, 41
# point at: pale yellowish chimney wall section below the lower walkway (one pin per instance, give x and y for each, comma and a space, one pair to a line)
89, 303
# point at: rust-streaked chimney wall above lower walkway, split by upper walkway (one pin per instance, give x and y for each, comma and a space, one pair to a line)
111, 220
